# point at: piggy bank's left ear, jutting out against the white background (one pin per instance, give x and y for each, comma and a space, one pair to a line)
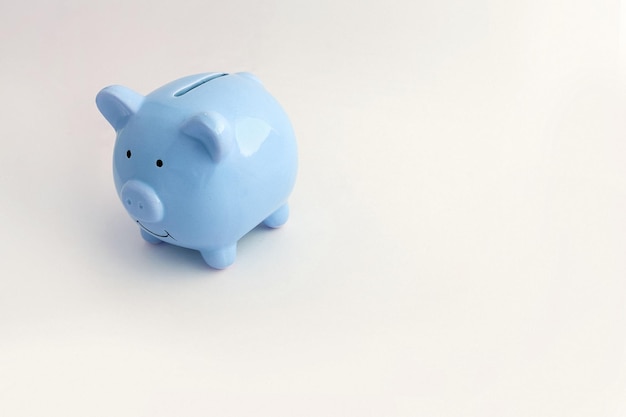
118, 104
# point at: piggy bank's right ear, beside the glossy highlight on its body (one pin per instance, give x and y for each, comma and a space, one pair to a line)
213, 131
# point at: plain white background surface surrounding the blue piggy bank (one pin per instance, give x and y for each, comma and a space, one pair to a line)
457, 241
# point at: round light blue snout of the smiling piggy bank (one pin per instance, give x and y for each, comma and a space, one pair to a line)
142, 202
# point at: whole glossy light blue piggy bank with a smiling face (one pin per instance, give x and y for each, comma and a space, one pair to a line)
201, 161
